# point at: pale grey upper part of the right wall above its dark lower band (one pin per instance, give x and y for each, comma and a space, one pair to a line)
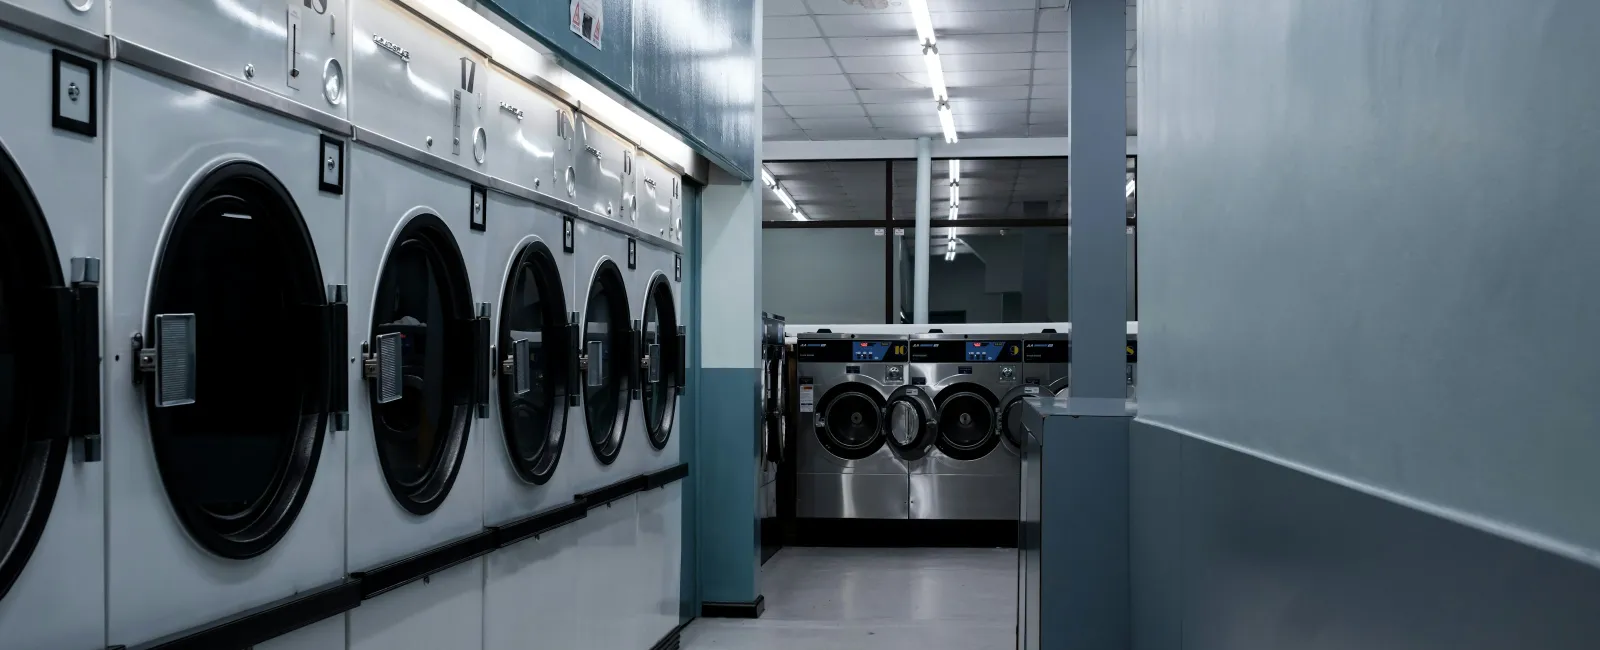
1369, 247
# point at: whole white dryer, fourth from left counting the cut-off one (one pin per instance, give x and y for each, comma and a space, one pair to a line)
529, 585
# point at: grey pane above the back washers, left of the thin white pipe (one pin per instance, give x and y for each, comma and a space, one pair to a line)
823, 276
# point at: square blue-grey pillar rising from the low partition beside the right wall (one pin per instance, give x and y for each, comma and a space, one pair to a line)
1098, 159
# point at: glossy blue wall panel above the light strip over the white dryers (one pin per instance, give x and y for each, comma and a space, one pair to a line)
687, 63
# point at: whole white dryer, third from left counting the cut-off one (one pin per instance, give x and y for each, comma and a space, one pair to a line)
420, 326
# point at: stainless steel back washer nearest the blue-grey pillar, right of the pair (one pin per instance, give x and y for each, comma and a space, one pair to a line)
970, 475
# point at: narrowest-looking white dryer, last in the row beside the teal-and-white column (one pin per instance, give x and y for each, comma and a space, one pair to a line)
663, 345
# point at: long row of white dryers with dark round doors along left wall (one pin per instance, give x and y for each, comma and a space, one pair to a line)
300, 303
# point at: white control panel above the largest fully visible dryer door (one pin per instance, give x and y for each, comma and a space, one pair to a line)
281, 46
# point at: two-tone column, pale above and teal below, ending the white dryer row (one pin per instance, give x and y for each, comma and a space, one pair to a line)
729, 391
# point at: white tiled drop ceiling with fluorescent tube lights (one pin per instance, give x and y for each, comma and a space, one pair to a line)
839, 71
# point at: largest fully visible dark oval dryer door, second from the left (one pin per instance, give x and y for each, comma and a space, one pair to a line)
244, 351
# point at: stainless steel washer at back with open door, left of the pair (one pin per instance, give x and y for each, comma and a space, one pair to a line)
862, 425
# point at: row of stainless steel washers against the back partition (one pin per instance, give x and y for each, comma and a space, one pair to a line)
924, 427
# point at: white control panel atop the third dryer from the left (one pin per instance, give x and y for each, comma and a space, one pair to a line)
418, 86
